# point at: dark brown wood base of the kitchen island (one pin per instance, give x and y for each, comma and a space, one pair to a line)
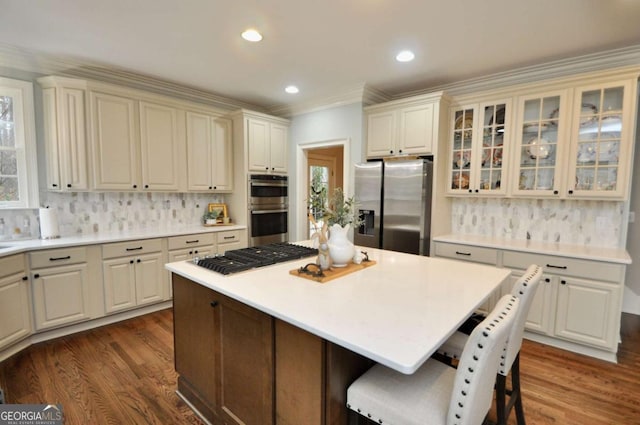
238, 365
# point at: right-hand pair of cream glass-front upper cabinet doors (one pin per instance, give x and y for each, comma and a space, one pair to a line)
576, 143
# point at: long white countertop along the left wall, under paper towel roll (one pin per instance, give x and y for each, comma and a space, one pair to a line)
17, 246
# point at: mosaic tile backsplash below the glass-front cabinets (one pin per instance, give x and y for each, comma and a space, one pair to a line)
587, 223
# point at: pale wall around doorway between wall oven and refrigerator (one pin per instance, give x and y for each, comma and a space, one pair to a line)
331, 124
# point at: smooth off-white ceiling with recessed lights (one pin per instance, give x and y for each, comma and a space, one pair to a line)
324, 47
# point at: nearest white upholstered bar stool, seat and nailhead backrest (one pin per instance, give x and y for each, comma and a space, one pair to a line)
437, 394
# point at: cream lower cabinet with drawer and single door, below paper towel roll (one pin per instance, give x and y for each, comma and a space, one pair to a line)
60, 287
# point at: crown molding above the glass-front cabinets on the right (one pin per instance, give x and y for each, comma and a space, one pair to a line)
607, 60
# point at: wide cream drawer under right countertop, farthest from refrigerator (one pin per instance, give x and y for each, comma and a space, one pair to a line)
594, 270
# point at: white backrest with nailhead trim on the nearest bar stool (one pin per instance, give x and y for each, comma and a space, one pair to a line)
473, 386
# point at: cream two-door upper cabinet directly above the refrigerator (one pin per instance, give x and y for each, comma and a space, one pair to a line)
407, 127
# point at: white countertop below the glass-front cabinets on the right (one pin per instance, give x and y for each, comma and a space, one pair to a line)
613, 255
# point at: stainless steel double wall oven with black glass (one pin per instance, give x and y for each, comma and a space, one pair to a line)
268, 209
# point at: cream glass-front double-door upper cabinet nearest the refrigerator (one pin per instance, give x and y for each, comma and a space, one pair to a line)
479, 148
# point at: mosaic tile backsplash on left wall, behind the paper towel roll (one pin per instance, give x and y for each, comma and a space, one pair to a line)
88, 212
